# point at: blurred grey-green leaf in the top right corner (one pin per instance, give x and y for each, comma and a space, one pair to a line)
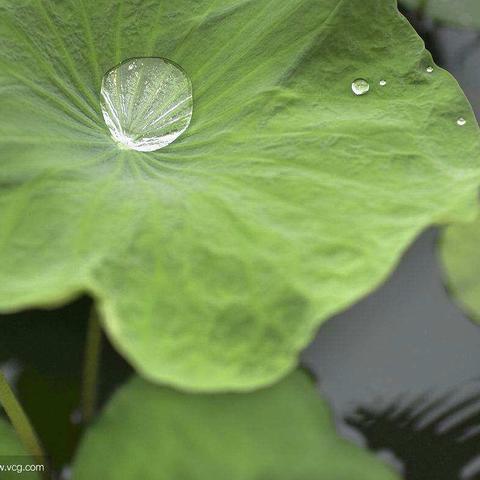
461, 13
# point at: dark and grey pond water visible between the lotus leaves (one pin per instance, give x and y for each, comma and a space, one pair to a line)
401, 368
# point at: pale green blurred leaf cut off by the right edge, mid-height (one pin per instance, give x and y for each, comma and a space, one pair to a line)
460, 254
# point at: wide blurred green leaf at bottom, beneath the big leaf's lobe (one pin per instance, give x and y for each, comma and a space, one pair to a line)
282, 433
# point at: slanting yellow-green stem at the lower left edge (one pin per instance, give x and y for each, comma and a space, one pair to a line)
20, 421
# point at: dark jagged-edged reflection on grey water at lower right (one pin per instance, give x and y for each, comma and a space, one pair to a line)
435, 438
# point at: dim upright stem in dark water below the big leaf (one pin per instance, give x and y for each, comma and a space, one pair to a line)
91, 366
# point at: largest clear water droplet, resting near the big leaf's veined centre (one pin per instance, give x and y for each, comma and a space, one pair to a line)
146, 103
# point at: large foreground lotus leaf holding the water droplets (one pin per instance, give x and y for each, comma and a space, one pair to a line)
214, 260
